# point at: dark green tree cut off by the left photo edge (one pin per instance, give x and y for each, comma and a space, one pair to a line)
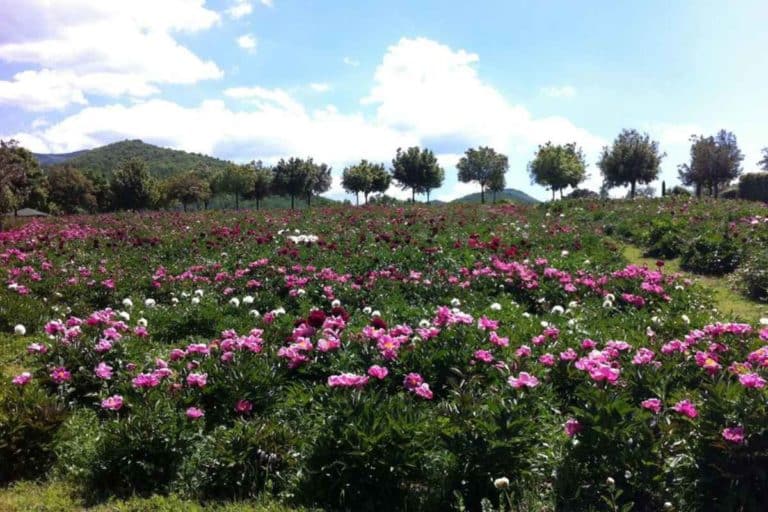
21, 181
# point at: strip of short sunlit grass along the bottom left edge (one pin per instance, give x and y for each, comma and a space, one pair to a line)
59, 497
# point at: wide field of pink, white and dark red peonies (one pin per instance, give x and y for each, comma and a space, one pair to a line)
417, 358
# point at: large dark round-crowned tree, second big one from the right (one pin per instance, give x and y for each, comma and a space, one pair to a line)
633, 159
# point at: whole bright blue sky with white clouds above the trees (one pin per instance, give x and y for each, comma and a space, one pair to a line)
344, 80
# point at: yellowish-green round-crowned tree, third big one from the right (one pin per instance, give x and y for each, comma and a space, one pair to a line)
558, 167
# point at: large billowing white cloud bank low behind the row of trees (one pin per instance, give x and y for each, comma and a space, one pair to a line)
423, 93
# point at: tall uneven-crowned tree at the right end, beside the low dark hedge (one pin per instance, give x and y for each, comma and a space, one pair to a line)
715, 161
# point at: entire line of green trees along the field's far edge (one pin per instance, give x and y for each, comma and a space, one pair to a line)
632, 159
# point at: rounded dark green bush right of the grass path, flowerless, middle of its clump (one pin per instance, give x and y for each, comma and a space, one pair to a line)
711, 254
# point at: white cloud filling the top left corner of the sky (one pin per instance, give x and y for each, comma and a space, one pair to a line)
82, 47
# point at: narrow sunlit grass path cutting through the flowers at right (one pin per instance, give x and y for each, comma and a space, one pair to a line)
727, 300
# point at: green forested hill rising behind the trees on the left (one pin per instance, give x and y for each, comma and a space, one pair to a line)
162, 162
